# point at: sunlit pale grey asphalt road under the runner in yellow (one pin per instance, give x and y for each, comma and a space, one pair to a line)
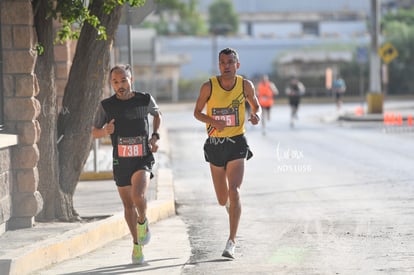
321, 198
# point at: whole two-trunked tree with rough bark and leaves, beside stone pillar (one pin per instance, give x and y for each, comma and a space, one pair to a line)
65, 137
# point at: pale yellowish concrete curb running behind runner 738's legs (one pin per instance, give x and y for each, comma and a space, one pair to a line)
88, 237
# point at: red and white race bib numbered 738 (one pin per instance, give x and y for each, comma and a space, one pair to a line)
130, 147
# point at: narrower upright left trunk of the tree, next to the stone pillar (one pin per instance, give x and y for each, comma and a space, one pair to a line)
48, 165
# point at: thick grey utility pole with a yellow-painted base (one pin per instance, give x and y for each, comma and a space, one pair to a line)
375, 97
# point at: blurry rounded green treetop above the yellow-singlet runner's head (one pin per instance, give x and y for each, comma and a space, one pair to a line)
222, 17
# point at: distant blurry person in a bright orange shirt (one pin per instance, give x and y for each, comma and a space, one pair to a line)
266, 90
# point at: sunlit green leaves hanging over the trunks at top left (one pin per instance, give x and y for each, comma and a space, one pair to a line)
73, 14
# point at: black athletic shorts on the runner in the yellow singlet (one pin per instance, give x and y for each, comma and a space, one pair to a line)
219, 151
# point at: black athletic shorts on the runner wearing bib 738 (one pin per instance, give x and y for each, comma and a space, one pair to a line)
125, 168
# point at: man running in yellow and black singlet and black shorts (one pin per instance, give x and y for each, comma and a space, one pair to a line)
226, 147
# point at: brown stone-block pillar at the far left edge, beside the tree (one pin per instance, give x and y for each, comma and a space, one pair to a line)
19, 199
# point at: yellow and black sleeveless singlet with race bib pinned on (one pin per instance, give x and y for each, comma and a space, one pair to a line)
227, 105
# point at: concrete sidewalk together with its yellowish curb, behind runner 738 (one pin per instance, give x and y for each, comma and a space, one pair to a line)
26, 250
